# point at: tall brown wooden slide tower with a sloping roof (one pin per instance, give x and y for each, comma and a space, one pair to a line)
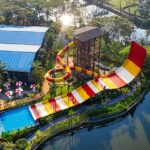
87, 53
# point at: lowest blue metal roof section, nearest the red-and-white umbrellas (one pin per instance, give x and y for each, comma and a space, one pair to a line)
17, 61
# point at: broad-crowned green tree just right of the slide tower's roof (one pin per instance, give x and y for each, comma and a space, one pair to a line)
114, 28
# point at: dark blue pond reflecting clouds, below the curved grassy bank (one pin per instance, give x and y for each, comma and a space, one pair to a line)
131, 132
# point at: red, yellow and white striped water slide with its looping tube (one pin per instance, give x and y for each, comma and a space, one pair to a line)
117, 79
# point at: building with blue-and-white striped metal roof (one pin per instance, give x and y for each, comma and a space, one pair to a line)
18, 48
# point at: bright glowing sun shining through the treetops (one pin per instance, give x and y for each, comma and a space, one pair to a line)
66, 20
